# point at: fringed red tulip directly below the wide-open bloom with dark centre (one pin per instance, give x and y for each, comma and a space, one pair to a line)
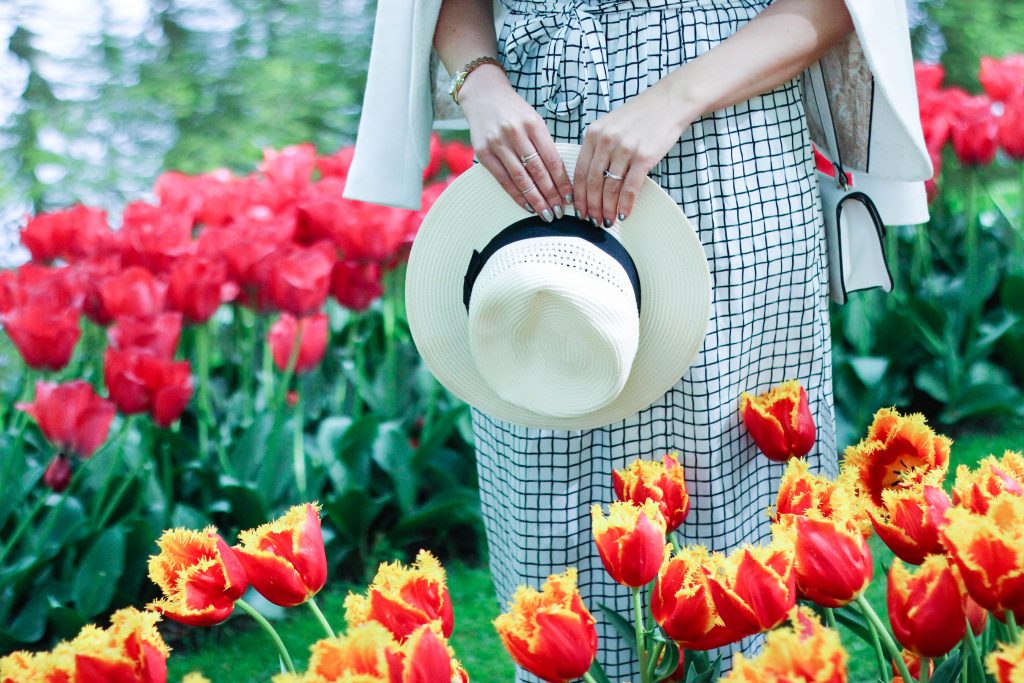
911, 519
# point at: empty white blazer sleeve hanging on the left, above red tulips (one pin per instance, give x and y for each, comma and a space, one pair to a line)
393, 143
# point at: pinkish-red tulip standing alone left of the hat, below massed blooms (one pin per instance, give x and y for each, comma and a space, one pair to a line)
301, 279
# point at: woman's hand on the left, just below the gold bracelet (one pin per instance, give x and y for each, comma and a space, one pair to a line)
504, 127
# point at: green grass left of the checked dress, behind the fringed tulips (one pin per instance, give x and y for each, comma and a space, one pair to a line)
239, 653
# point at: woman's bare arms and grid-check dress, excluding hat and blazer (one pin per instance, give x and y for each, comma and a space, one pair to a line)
703, 97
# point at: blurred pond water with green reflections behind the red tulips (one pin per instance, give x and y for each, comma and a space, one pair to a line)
98, 98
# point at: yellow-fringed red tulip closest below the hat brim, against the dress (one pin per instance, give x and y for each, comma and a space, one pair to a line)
663, 483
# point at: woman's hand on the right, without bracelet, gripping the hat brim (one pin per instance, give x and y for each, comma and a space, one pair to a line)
628, 142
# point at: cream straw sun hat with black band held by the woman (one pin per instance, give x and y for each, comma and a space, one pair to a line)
563, 325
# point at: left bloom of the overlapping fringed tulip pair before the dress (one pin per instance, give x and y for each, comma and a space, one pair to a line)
681, 603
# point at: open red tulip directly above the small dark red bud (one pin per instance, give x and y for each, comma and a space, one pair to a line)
71, 416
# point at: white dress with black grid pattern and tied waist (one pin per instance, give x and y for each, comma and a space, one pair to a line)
745, 176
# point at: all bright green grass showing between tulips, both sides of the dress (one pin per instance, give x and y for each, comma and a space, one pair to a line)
238, 653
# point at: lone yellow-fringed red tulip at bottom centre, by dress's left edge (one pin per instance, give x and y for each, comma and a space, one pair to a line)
550, 633
